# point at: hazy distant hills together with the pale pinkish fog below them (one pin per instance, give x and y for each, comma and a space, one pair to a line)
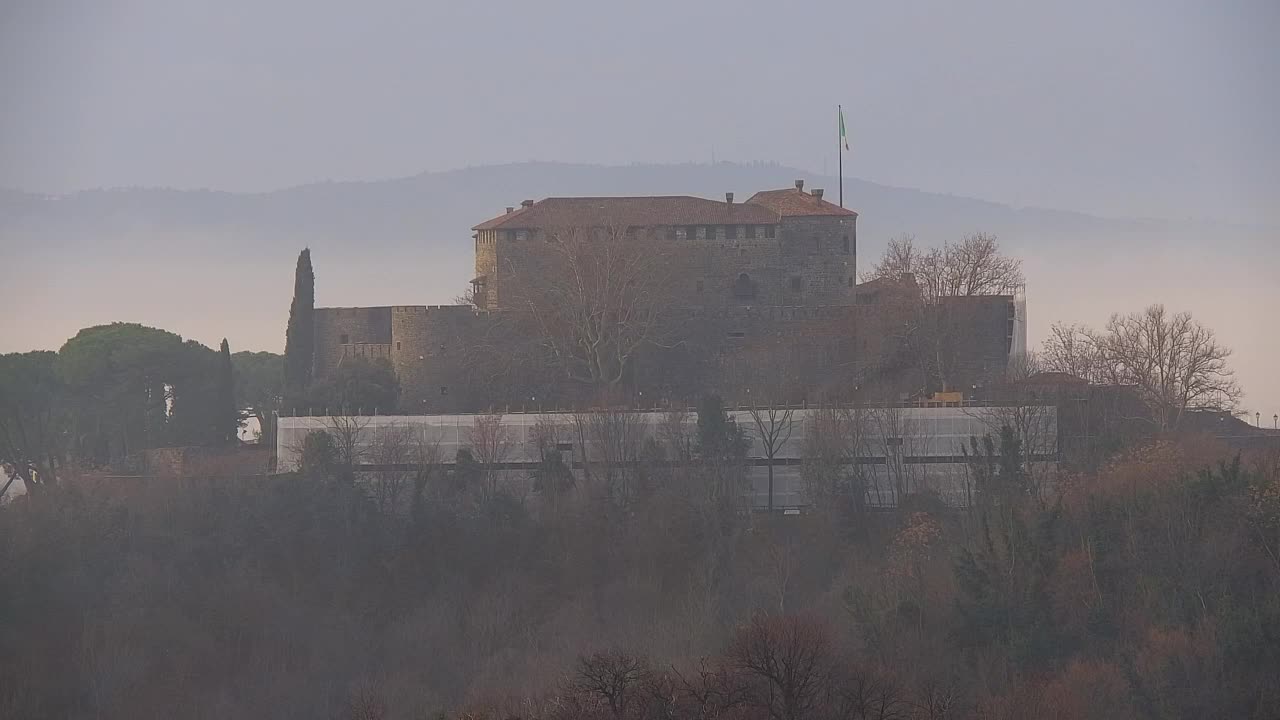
207, 263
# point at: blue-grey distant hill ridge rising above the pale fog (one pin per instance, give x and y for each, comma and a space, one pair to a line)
440, 208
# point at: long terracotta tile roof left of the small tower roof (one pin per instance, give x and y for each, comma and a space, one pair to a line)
642, 212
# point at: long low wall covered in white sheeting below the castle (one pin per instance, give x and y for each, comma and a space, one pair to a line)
893, 450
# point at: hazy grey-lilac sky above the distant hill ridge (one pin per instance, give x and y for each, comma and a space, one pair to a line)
1153, 108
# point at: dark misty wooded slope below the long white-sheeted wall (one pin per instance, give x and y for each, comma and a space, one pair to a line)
1150, 589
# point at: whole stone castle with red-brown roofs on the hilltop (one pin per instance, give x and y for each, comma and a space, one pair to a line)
760, 297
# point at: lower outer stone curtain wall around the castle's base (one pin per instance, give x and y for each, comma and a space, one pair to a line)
455, 359
